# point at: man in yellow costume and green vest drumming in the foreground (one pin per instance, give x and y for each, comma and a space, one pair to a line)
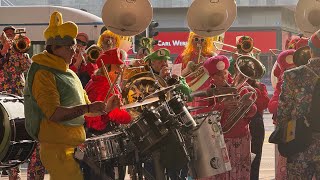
54, 92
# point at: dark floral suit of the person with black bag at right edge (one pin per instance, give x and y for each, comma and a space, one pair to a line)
294, 105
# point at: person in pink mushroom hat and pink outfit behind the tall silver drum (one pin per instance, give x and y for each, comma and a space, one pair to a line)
238, 138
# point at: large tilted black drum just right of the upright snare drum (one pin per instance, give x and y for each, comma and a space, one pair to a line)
148, 130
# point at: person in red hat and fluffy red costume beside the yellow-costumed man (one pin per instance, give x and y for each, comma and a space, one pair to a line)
97, 90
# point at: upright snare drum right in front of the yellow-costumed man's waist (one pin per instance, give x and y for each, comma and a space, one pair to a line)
106, 147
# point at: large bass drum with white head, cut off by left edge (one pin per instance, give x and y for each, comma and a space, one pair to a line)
16, 145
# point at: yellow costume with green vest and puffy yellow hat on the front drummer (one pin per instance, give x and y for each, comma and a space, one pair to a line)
52, 84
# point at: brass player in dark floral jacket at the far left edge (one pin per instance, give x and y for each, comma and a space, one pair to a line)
13, 65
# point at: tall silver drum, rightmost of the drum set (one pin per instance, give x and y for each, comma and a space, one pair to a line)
210, 155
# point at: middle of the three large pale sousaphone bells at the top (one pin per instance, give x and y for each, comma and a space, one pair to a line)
210, 18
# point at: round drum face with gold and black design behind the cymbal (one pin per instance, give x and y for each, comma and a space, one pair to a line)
140, 86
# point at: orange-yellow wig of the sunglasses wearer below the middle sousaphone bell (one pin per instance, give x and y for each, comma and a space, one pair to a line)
207, 49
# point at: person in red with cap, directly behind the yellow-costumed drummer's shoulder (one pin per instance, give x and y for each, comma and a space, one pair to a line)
80, 65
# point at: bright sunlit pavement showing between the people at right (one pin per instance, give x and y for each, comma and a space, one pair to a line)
267, 170
